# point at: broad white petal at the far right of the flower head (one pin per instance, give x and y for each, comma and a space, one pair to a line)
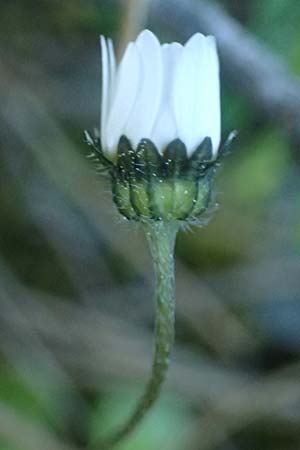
196, 93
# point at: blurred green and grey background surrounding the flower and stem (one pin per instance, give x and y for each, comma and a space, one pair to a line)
76, 312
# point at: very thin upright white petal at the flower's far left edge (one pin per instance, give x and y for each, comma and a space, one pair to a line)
105, 84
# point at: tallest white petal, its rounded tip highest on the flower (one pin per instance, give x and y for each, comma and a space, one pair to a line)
144, 113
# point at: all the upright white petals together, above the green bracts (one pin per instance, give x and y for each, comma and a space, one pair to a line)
161, 92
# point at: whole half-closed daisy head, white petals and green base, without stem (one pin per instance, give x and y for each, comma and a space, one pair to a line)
160, 126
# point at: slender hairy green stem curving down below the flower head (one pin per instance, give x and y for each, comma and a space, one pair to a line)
161, 237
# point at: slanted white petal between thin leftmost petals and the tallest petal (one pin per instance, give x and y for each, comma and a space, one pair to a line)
126, 92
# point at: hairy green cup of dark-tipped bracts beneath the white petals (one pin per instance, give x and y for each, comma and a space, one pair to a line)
173, 186
